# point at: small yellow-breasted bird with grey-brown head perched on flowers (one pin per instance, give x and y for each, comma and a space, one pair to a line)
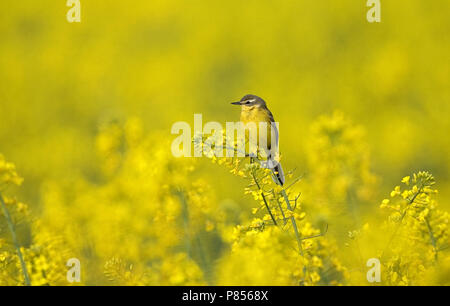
254, 110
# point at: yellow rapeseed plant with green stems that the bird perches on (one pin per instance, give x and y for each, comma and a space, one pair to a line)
278, 246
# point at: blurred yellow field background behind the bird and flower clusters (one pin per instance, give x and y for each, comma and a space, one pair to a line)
157, 62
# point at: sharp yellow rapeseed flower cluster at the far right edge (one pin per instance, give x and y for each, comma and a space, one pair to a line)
419, 230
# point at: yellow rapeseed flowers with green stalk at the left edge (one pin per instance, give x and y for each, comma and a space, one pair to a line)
42, 260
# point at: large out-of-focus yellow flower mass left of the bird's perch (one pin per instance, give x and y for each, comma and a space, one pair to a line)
143, 211
